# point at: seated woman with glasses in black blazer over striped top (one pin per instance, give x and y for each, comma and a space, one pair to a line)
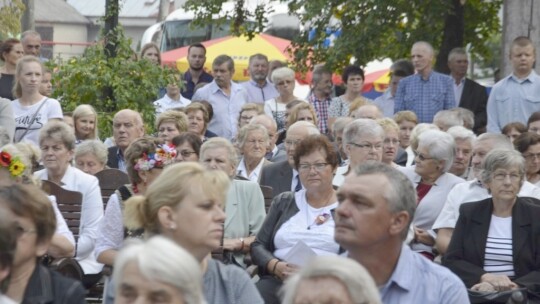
495, 244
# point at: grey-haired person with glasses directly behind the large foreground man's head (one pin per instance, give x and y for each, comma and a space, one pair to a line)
362, 142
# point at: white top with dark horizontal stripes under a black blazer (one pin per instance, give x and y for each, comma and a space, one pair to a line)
498, 258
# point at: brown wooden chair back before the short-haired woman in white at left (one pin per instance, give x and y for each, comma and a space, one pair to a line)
69, 203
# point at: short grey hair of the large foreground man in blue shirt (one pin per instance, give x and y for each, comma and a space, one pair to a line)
401, 196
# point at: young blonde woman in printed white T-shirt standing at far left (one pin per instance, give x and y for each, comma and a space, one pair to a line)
31, 109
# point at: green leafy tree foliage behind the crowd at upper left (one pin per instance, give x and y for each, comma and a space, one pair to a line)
135, 84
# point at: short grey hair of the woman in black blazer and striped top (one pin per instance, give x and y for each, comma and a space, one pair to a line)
506, 159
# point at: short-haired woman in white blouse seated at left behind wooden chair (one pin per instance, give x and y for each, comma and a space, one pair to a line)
57, 144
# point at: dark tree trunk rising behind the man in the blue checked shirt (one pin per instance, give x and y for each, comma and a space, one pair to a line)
454, 28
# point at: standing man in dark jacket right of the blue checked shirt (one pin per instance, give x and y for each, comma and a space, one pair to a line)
468, 93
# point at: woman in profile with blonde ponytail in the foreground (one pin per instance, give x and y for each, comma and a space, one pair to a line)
185, 204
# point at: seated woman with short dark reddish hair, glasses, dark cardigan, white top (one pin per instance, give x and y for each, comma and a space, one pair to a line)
301, 219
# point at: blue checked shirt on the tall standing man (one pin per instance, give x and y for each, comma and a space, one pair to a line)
425, 97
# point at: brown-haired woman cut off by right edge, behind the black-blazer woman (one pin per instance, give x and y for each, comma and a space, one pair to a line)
528, 144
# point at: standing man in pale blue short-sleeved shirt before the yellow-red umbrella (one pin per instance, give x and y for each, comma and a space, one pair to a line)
225, 96
